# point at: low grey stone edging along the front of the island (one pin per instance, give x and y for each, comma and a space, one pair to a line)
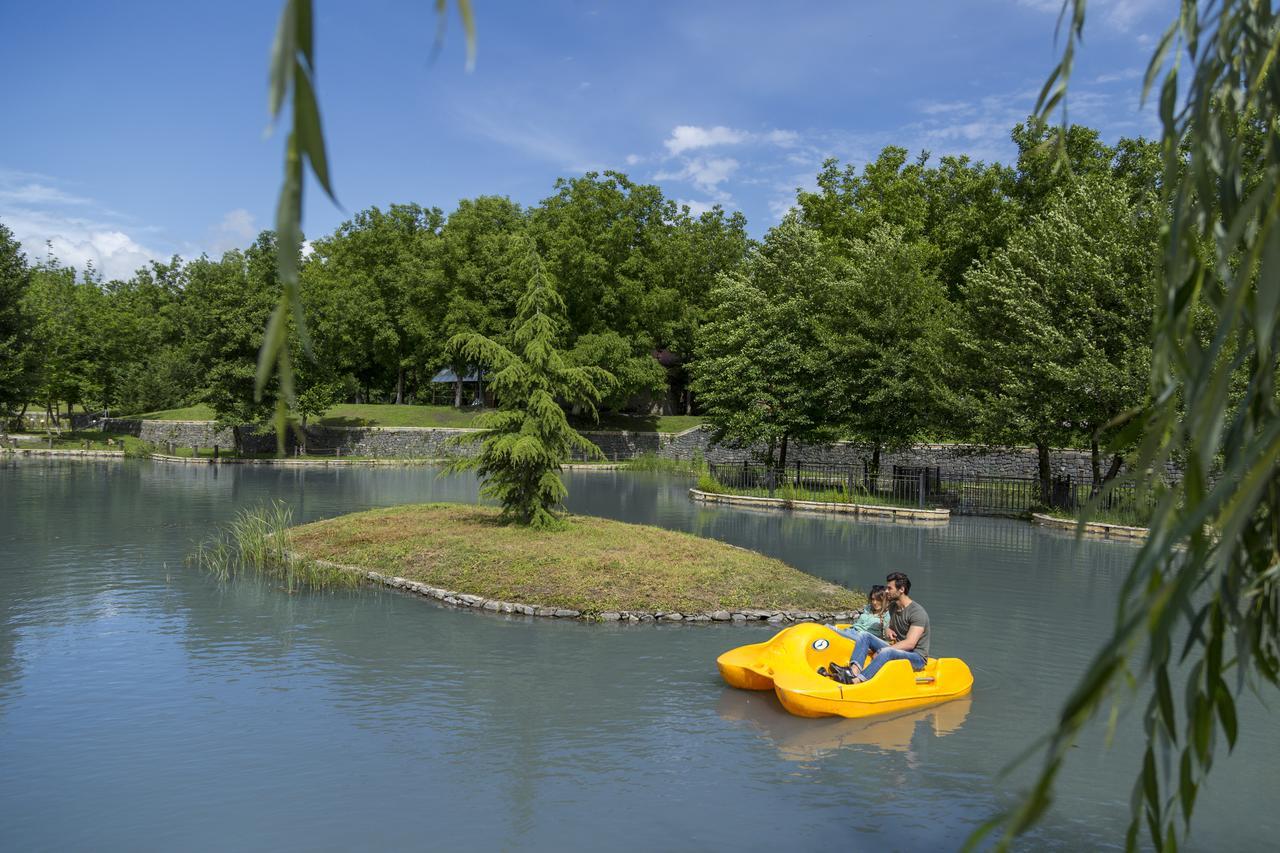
492, 605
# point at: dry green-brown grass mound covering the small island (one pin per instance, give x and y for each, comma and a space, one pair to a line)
593, 565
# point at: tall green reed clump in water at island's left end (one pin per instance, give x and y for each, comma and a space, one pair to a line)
257, 544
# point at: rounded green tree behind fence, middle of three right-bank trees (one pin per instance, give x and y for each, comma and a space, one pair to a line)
888, 320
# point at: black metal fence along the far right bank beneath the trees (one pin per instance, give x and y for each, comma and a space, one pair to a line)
930, 487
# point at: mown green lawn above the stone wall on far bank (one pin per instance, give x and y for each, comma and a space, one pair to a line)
390, 416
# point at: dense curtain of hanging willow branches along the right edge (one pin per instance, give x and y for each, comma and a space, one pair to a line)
1209, 576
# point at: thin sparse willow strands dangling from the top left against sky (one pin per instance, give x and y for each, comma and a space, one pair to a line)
292, 77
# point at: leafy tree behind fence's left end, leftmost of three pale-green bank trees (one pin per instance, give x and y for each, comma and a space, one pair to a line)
761, 373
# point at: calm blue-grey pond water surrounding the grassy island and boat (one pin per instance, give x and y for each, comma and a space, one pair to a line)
143, 706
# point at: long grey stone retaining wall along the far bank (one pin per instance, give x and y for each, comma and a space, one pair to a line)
689, 445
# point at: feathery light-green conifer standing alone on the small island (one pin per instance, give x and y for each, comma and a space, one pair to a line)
527, 441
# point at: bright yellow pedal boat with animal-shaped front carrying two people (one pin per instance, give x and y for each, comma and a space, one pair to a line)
788, 664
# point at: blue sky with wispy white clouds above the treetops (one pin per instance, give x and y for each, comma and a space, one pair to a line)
138, 130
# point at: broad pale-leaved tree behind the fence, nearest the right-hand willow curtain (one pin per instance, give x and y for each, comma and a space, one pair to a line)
1058, 322
